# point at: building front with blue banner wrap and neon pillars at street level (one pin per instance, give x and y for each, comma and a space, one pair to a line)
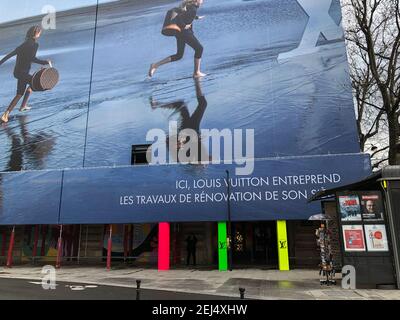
99, 157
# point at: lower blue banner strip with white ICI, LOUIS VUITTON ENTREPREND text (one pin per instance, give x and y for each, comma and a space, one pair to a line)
278, 189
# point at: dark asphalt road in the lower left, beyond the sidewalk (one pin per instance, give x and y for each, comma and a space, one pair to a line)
17, 289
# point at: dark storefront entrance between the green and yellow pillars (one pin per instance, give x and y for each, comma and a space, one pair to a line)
255, 243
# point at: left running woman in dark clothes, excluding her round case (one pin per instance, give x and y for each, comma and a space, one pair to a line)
26, 55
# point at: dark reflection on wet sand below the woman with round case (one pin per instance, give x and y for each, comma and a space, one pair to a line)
27, 150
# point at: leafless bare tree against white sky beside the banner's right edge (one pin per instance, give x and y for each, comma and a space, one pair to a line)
373, 34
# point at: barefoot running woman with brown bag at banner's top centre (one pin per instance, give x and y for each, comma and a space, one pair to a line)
179, 24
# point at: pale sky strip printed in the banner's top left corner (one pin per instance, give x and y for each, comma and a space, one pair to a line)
17, 9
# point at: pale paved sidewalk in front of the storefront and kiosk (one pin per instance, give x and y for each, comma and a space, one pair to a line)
259, 284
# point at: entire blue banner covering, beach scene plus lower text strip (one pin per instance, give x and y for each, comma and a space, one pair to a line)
277, 68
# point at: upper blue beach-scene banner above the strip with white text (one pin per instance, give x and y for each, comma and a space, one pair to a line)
276, 66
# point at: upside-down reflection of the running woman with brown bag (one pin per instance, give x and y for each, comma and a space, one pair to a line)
186, 121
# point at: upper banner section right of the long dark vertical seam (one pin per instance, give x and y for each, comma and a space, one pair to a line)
254, 80
